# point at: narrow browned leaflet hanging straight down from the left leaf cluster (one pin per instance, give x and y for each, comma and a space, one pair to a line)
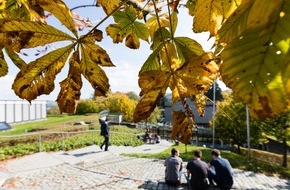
70, 88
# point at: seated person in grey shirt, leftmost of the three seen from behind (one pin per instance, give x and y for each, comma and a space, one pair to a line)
173, 169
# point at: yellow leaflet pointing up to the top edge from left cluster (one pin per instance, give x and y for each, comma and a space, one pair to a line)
59, 9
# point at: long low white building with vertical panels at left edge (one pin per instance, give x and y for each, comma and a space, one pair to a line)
17, 111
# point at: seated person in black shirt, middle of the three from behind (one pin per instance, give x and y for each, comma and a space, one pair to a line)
197, 171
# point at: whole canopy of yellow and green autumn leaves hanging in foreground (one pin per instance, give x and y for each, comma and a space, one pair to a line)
251, 51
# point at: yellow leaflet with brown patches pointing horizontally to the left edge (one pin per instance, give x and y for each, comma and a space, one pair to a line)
27, 34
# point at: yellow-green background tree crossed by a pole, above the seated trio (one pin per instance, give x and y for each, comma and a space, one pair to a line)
230, 122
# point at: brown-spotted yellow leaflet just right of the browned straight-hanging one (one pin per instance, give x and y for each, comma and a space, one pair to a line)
94, 74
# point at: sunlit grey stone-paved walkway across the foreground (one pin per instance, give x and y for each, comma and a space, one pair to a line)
90, 168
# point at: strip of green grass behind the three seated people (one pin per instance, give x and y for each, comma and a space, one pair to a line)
236, 160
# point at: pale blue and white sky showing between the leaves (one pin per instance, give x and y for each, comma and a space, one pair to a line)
123, 77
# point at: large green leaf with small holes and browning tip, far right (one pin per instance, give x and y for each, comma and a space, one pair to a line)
258, 79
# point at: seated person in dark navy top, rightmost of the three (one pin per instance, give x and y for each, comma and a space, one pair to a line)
220, 171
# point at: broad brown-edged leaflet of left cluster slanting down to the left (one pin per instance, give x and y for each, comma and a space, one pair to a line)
38, 77
